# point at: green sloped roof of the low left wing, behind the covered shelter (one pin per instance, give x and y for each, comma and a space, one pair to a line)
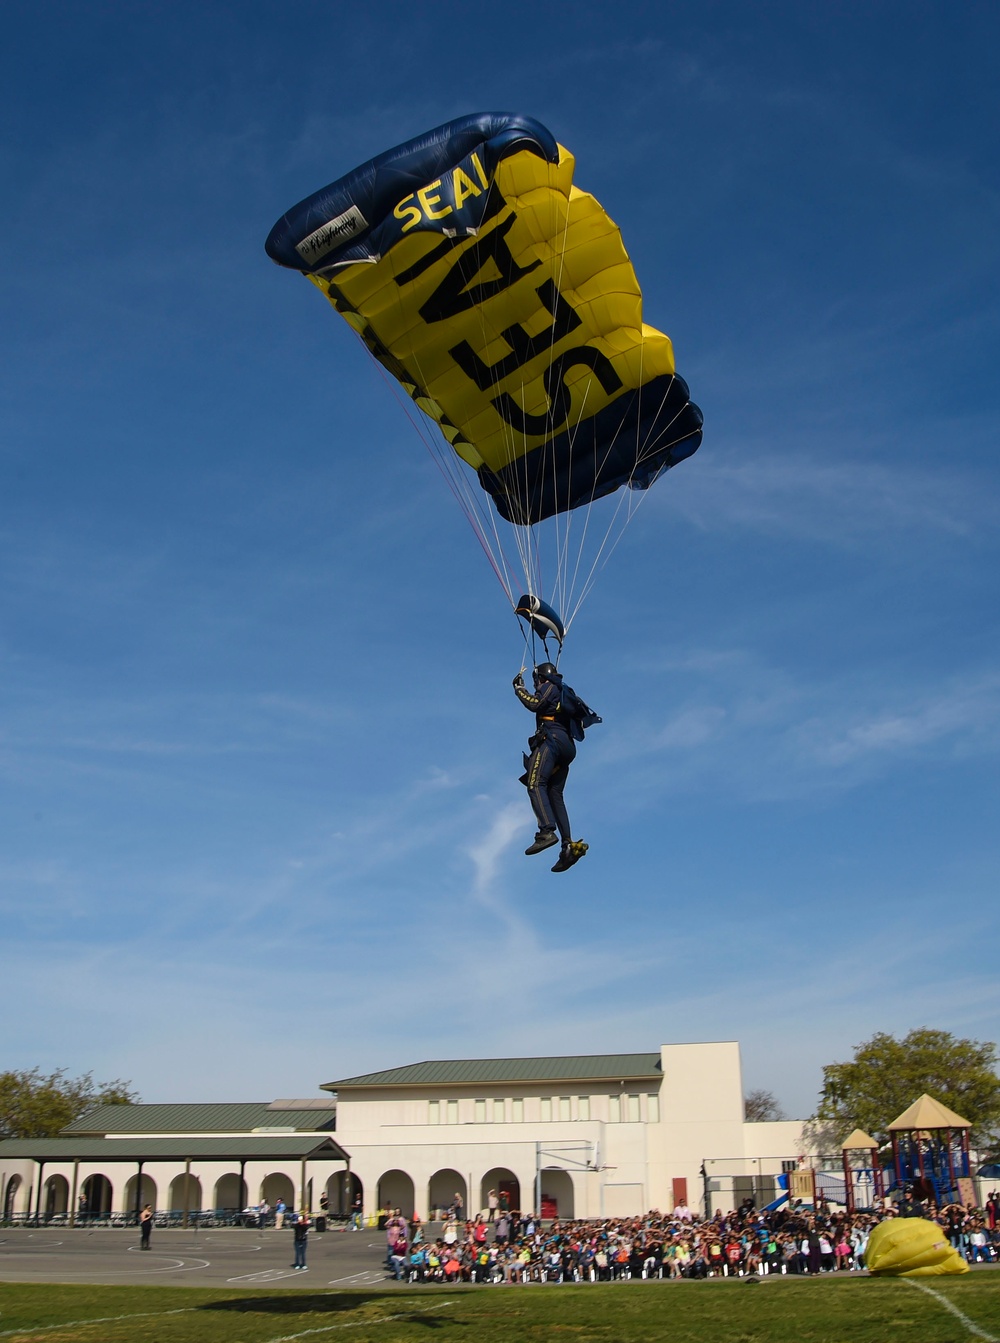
226, 1118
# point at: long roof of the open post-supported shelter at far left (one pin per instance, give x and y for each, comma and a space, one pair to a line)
279, 1148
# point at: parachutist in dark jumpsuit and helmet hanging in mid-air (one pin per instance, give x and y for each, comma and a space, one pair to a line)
560, 722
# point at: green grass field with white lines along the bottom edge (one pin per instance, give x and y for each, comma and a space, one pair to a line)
783, 1311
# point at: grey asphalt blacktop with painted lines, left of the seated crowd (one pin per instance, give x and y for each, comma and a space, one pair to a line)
223, 1258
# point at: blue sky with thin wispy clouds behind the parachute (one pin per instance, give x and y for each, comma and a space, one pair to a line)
260, 816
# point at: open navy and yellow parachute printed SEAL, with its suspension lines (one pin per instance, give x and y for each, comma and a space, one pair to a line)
503, 300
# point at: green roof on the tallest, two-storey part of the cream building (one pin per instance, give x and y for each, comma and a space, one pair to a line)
454, 1072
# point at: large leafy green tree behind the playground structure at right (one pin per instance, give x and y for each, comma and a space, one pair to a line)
889, 1075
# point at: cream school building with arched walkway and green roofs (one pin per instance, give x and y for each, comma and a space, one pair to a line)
591, 1136
